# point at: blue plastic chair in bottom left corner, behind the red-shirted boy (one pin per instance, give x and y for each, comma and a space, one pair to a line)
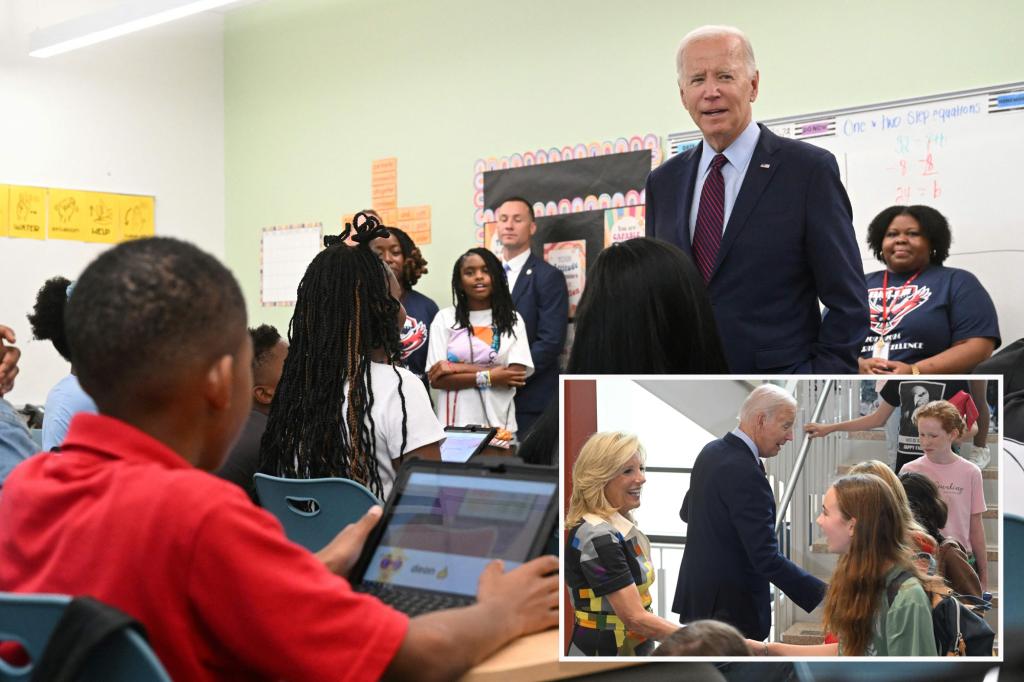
30, 620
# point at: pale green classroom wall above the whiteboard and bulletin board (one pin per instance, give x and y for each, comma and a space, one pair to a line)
317, 90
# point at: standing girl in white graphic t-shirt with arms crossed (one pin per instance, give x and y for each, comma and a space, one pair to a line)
479, 352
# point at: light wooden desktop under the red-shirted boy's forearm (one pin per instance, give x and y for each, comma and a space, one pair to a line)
535, 658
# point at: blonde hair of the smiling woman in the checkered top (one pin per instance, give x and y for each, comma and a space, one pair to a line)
601, 460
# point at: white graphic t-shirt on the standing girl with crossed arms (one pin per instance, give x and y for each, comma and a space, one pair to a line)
490, 407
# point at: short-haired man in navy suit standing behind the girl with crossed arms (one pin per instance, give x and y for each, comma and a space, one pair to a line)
541, 299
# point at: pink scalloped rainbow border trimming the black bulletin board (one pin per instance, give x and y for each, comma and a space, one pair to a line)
554, 155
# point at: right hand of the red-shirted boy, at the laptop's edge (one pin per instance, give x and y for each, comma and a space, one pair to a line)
529, 593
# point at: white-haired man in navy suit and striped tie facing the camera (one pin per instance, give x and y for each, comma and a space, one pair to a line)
765, 219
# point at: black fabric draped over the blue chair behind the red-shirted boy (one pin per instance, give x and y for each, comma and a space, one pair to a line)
84, 626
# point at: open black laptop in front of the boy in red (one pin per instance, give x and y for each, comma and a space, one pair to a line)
445, 522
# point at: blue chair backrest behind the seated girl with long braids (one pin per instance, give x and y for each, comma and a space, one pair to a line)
314, 510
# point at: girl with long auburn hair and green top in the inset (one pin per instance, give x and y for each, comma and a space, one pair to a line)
863, 523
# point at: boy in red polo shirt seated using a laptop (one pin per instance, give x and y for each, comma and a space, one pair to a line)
129, 515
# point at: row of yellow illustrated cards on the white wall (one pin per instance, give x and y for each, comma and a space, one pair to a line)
76, 216
